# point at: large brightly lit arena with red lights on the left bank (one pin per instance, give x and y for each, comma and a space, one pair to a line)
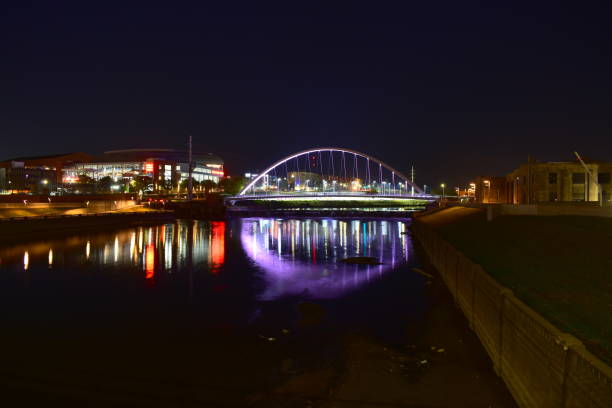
148, 169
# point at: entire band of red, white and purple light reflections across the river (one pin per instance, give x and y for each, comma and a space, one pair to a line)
290, 256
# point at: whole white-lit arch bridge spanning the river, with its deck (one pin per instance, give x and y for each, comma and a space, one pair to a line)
331, 173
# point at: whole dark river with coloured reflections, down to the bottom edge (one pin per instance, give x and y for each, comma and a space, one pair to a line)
229, 313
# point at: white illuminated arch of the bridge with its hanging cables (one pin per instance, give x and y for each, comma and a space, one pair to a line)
406, 187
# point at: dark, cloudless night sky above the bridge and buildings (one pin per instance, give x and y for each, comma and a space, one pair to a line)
457, 88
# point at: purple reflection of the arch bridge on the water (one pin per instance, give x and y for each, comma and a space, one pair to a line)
299, 255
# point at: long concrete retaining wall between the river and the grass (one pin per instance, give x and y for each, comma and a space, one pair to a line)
542, 366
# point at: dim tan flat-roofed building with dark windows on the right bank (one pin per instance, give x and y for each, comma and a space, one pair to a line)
559, 181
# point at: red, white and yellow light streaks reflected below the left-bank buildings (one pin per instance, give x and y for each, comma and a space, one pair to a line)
153, 250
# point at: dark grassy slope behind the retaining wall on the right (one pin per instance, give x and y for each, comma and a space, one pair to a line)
560, 266
